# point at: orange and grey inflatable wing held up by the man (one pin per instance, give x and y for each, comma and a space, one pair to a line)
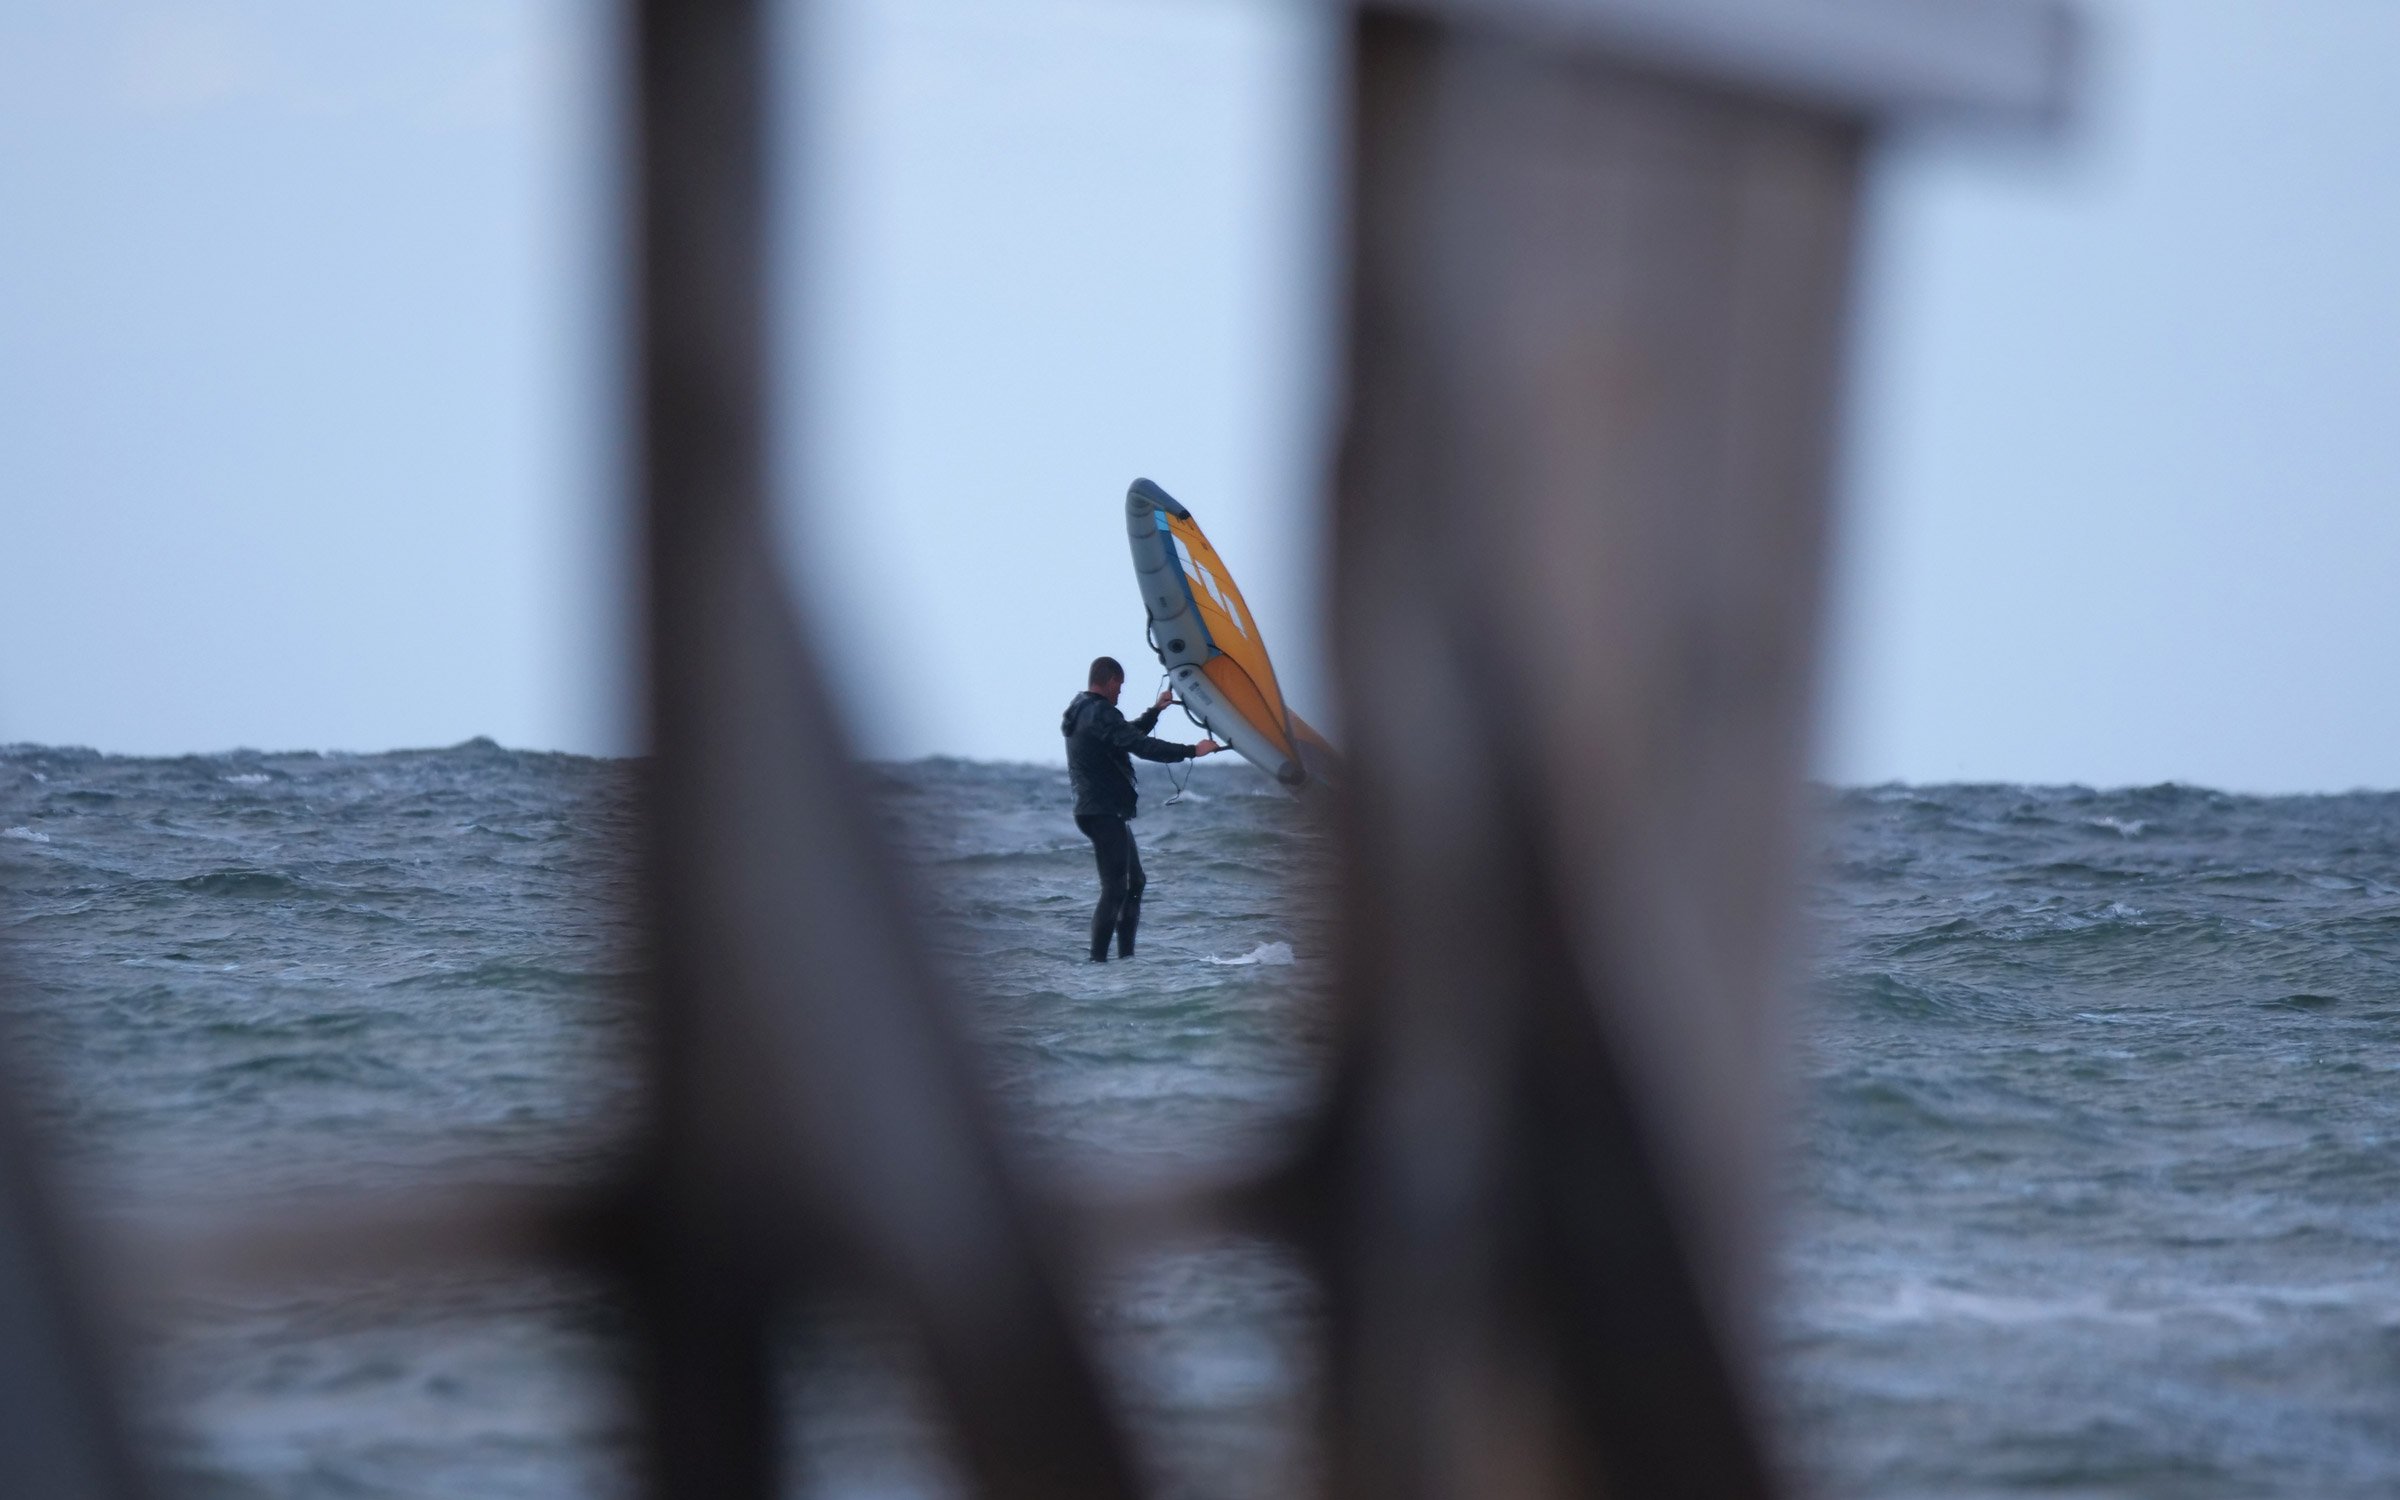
1211, 647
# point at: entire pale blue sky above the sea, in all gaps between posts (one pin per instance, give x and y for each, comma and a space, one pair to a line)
308, 433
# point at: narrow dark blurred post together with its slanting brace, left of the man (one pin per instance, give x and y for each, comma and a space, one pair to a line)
812, 1103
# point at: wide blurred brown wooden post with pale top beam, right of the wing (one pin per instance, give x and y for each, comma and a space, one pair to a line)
1600, 270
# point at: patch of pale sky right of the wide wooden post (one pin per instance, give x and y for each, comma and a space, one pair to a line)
2125, 467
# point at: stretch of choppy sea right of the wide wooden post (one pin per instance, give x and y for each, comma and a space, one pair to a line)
2101, 1148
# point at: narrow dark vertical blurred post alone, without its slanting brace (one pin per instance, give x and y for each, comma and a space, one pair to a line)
704, 1312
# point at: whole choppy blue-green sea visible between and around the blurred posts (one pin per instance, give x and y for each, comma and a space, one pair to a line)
2094, 1180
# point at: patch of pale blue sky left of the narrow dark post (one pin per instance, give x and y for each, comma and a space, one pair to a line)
296, 325
